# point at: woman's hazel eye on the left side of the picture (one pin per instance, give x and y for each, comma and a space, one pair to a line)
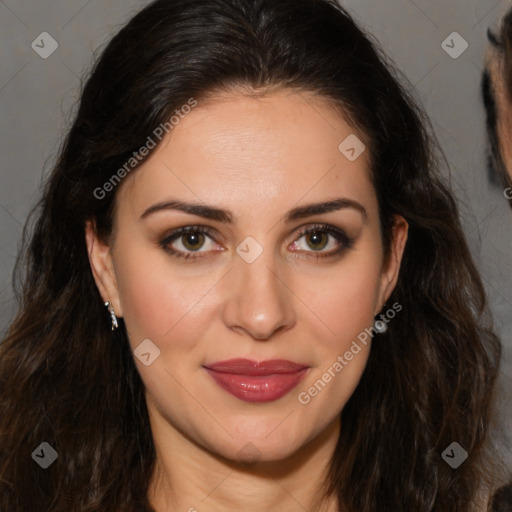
185, 241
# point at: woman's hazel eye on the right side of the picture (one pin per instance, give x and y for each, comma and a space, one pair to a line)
318, 238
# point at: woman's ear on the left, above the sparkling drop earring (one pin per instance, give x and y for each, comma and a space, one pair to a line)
102, 266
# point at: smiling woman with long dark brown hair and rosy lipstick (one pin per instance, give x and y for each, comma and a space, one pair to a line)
294, 320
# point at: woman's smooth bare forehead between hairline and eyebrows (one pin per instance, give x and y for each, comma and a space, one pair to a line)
284, 145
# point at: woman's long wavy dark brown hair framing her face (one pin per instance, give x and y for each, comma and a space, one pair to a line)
67, 380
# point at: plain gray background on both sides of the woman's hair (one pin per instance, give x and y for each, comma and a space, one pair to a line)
38, 98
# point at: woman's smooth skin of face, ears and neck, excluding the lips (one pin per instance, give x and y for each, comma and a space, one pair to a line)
257, 158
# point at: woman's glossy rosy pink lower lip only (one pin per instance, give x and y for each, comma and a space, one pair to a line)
258, 388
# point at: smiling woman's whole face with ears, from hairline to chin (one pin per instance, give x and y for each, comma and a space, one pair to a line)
254, 286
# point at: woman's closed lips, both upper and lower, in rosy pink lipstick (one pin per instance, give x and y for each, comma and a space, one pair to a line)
253, 381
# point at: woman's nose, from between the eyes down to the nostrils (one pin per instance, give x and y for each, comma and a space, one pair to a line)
258, 302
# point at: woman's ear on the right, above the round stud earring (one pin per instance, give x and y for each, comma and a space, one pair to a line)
391, 267
